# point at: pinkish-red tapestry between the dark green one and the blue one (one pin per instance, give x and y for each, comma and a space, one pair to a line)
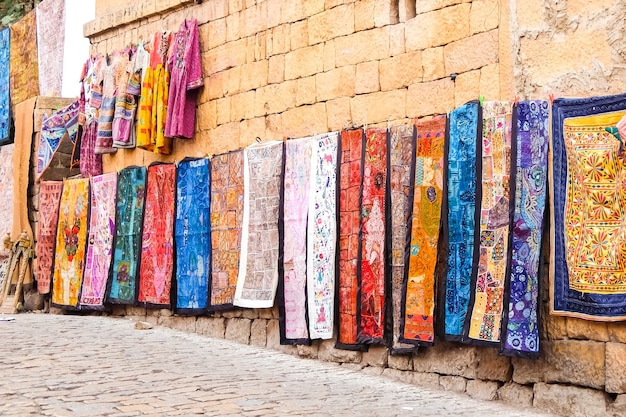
157, 243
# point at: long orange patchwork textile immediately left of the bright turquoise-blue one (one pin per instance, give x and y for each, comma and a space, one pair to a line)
418, 297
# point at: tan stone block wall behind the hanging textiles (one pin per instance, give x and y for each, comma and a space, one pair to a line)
276, 69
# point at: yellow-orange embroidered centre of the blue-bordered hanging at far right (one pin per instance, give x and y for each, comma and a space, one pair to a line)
595, 205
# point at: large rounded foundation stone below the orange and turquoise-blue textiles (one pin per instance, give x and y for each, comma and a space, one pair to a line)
447, 359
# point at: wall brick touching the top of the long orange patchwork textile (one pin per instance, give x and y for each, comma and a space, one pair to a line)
434, 97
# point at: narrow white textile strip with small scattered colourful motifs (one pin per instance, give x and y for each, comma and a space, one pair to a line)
322, 236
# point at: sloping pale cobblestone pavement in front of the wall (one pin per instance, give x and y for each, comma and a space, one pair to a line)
100, 366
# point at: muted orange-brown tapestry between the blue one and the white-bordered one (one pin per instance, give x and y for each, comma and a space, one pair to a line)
226, 221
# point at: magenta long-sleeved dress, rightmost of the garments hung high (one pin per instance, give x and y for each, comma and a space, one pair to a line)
186, 78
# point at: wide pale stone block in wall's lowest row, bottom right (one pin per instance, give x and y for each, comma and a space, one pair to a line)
569, 400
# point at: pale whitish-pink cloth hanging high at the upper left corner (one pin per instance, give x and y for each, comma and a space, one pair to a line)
50, 46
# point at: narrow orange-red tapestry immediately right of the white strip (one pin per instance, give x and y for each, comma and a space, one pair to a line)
350, 179
